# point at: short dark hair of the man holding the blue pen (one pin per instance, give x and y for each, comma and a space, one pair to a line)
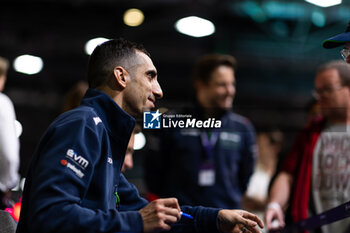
106, 56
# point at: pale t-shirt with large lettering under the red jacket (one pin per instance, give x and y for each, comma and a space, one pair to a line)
331, 173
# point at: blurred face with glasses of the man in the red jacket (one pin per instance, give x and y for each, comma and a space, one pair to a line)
332, 95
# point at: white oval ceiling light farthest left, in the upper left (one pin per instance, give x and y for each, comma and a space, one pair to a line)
28, 64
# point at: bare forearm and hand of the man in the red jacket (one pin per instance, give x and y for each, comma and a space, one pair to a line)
278, 200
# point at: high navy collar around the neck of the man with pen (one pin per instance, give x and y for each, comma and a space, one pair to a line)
118, 123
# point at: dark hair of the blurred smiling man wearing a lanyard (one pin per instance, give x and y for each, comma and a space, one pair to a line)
206, 64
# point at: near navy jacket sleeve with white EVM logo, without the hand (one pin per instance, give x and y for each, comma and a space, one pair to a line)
55, 200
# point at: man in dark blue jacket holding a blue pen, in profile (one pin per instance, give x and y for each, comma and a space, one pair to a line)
74, 182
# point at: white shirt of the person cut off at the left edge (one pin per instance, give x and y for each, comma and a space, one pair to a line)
9, 145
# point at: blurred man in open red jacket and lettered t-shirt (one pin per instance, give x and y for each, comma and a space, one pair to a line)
314, 176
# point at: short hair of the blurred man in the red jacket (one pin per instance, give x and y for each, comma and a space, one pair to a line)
342, 67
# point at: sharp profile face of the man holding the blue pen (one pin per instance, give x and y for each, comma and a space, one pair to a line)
143, 88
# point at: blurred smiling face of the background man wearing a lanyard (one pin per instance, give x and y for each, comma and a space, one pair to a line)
220, 90
